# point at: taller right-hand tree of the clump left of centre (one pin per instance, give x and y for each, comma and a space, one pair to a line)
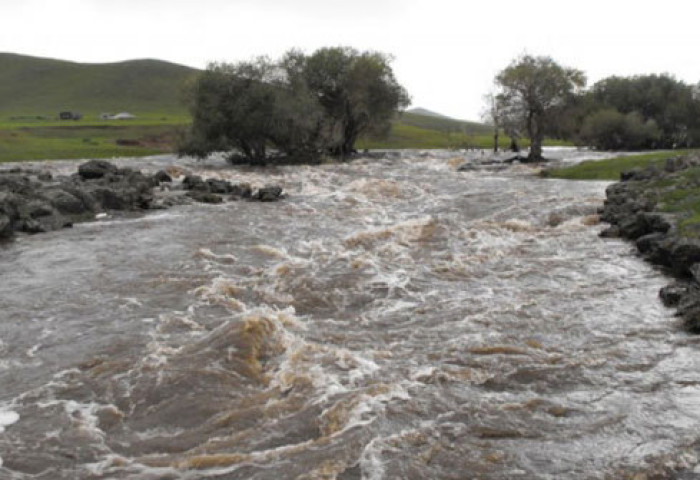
358, 92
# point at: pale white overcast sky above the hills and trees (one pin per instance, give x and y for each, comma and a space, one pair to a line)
446, 51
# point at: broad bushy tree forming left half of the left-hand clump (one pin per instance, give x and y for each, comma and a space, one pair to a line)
247, 107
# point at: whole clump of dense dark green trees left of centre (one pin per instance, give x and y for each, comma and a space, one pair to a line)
299, 107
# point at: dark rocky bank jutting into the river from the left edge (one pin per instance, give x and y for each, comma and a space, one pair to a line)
34, 201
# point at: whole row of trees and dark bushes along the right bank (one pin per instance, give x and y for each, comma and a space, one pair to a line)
537, 97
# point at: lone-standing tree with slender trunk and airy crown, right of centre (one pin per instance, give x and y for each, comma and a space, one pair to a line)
530, 90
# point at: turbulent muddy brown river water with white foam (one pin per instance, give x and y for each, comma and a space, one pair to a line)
391, 319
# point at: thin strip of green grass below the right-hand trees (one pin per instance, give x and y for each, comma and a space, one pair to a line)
610, 169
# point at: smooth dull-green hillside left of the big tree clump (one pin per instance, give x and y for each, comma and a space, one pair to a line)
43, 87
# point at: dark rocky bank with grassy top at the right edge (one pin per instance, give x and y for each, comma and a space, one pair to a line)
656, 209
